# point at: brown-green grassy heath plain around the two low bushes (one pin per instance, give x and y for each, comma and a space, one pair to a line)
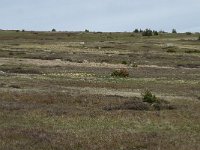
57, 92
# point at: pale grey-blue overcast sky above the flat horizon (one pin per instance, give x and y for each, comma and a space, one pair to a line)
100, 15
